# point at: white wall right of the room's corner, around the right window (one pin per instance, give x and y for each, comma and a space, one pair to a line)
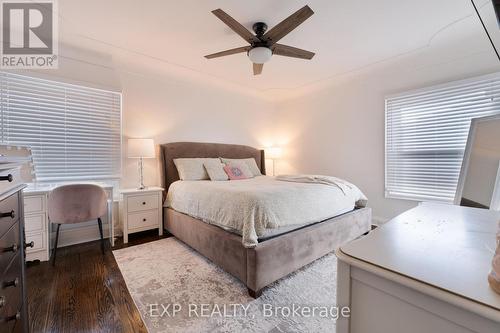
338, 129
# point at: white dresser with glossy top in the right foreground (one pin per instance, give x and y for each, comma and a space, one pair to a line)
424, 271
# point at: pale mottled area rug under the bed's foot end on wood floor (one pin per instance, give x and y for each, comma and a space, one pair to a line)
177, 290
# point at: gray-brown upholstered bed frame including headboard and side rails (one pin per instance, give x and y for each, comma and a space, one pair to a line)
271, 259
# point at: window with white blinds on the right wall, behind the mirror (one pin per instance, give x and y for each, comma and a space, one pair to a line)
426, 133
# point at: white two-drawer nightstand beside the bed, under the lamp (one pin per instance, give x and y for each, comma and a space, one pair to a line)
141, 210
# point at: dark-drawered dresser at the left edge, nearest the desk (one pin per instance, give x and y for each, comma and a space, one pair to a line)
13, 305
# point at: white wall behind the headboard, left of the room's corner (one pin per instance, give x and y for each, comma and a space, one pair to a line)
167, 104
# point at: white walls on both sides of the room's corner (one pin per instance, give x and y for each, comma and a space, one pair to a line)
335, 126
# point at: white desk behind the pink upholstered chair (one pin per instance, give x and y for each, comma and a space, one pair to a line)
38, 228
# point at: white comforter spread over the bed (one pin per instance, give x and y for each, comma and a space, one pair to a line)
249, 207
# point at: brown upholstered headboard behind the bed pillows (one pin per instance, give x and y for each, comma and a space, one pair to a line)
170, 151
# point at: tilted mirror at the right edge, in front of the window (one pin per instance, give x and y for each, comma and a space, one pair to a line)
479, 181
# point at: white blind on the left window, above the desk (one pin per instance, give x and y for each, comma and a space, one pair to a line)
74, 131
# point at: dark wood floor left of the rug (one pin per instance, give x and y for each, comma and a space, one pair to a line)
84, 292
